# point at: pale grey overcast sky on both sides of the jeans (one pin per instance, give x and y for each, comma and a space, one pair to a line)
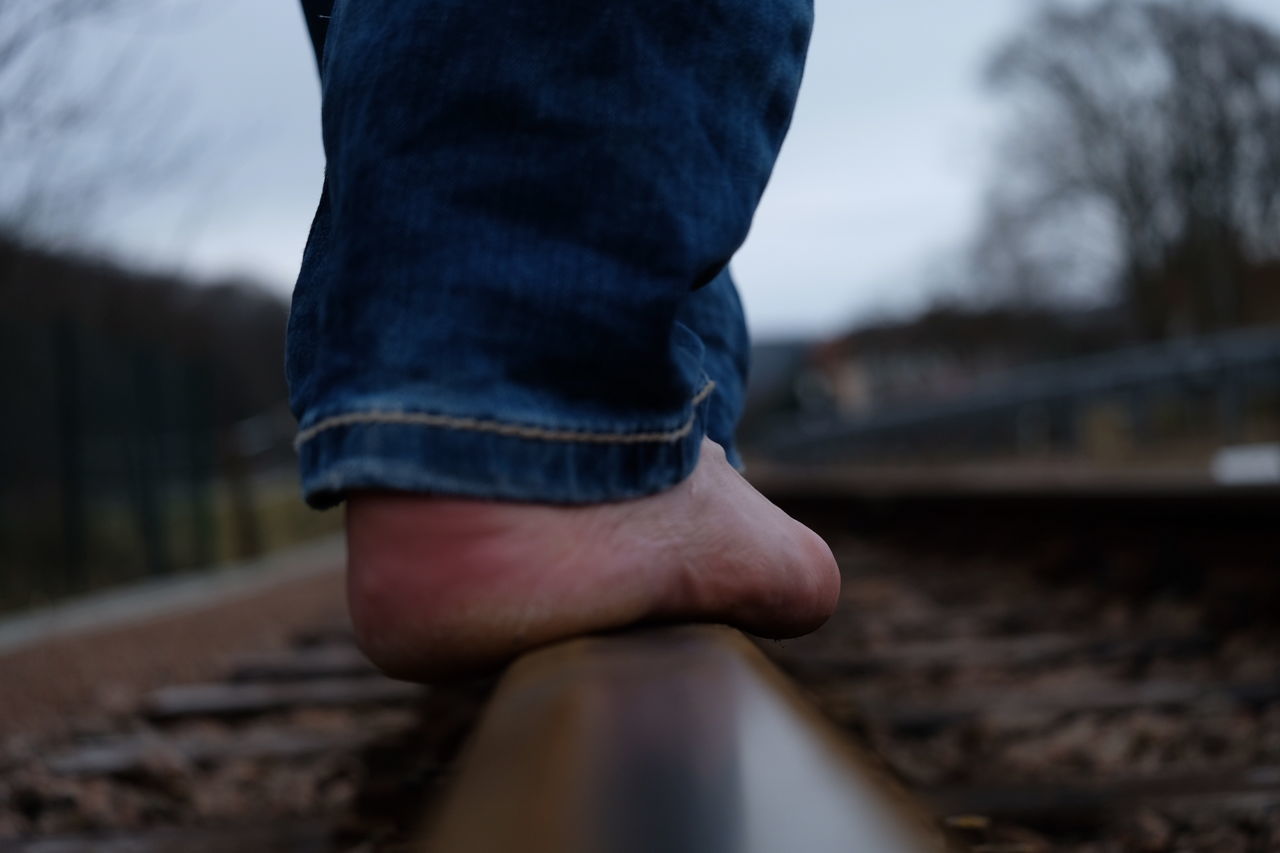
879, 183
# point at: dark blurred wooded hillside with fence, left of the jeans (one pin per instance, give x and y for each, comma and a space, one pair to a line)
145, 425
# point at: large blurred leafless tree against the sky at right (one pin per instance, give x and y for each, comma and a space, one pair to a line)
1146, 153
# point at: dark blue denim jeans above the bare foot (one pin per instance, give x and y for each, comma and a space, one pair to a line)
516, 282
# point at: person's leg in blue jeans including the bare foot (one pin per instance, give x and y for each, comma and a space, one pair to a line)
500, 318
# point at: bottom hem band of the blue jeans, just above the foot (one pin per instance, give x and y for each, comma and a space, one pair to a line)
483, 459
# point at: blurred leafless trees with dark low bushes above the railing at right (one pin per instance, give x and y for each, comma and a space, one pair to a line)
1135, 190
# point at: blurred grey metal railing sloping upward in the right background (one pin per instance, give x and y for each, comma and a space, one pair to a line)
1043, 405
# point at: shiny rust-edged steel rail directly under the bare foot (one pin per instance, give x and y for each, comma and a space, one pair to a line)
665, 740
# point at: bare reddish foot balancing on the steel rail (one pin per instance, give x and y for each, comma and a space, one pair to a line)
445, 586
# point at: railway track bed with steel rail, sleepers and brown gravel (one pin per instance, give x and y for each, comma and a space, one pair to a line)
1041, 672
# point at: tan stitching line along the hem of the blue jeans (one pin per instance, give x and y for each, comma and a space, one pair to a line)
499, 428
